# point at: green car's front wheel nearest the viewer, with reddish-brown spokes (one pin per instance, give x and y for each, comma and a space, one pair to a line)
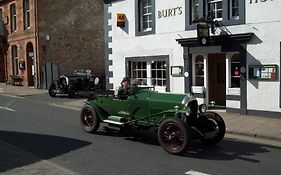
174, 136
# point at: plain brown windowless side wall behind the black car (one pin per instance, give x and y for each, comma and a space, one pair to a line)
71, 34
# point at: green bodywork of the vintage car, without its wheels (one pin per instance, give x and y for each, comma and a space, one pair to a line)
143, 106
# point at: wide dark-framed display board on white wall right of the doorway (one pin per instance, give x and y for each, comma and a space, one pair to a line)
263, 72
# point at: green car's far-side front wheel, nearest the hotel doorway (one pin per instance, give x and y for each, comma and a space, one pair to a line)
214, 128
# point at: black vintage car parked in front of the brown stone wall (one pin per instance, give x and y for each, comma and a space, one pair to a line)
80, 80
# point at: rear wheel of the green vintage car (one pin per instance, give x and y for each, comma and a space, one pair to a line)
89, 119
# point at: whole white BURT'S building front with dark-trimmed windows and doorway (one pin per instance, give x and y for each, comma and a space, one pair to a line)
236, 67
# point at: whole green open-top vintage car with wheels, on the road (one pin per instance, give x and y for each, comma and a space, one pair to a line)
177, 118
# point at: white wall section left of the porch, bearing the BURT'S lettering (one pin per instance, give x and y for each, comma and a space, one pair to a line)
125, 44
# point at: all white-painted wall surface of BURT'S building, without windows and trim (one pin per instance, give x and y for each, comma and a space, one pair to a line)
262, 18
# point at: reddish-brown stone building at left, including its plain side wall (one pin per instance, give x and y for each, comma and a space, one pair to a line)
48, 38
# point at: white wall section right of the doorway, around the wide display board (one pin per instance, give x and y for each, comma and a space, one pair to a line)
264, 19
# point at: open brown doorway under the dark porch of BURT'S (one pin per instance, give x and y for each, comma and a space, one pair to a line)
217, 79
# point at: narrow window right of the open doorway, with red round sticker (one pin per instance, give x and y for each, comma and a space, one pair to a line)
235, 71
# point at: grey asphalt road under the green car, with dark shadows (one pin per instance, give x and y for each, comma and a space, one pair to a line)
54, 134
